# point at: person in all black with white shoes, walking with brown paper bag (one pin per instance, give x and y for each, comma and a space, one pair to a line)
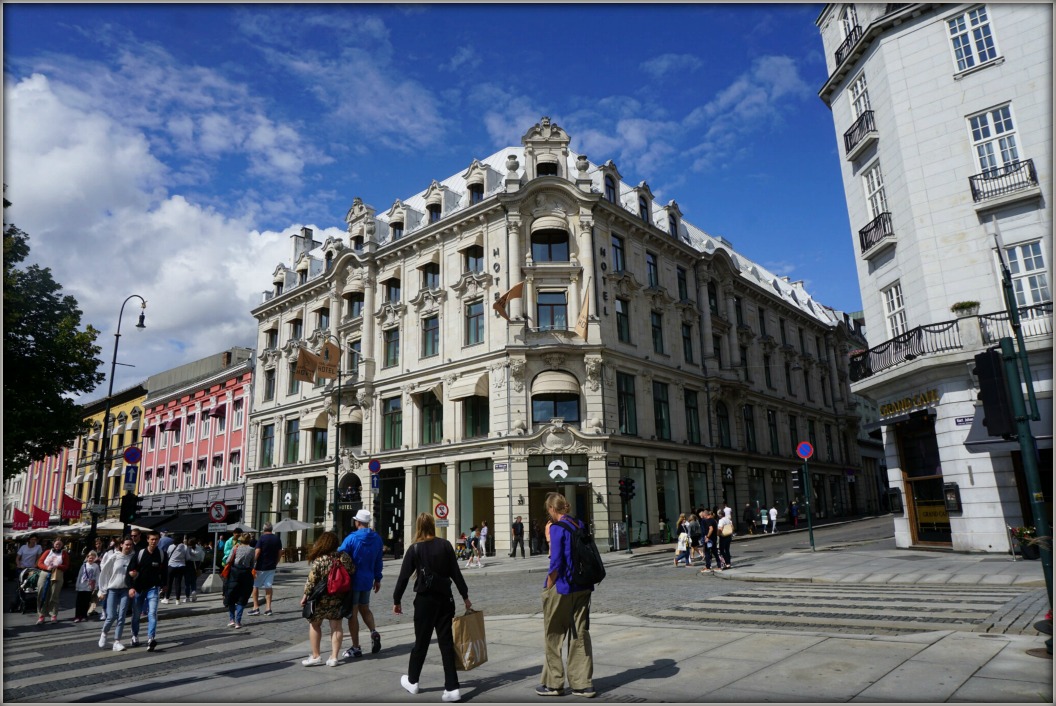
435, 564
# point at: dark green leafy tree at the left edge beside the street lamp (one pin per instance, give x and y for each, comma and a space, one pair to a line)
48, 358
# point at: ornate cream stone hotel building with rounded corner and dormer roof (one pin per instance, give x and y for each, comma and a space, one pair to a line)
694, 372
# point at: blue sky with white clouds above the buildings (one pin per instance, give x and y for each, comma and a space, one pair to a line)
171, 150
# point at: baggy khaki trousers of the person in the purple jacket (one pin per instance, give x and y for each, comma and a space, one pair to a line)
560, 614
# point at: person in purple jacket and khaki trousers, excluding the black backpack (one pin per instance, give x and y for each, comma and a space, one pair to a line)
567, 612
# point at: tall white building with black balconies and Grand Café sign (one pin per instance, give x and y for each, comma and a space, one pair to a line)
944, 117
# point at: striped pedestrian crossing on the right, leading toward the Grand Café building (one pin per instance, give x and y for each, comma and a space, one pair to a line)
860, 608
